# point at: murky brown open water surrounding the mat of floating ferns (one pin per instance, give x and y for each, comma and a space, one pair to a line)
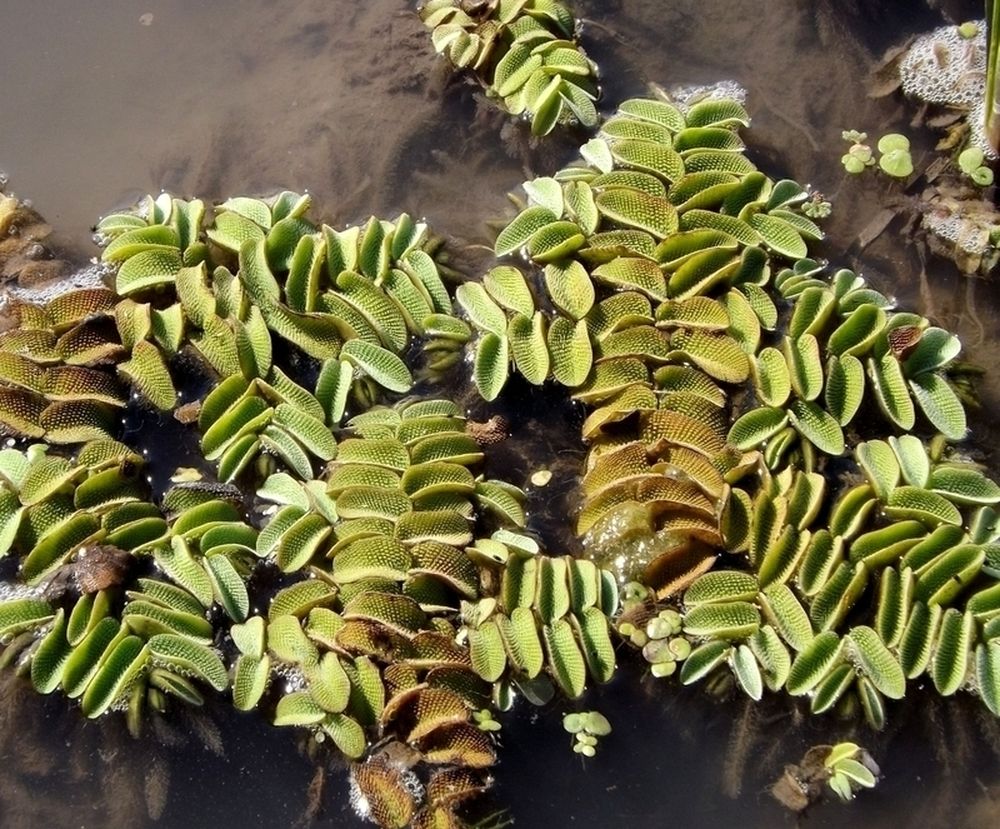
345, 98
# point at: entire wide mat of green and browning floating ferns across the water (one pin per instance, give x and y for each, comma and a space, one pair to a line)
667, 287
